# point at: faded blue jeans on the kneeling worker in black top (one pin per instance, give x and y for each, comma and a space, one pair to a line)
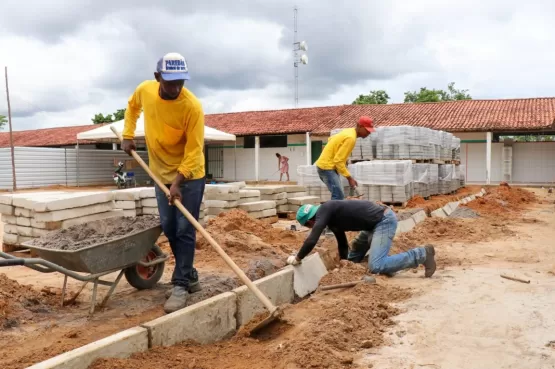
379, 242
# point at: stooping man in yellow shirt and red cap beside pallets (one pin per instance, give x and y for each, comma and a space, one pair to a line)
333, 161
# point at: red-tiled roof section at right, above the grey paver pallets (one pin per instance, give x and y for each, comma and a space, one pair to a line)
456, 116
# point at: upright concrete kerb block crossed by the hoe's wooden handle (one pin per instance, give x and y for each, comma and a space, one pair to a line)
278, 287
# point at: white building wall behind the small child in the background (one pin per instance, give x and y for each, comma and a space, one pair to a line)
296, 152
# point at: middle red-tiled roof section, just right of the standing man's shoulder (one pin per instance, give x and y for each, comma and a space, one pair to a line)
273, 121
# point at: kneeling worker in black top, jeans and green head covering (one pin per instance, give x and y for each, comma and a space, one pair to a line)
380, 221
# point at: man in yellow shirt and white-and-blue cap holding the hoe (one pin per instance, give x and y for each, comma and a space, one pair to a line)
174, 134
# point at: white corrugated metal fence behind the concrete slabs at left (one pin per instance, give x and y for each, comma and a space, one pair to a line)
39, 167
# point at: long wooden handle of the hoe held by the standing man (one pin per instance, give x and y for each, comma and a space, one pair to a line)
202, 231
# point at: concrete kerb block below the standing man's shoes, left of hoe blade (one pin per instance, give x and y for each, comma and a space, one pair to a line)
205, 322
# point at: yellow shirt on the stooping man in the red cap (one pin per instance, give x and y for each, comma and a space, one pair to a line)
337, 151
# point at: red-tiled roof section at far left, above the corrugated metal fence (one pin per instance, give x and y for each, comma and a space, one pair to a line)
60, 136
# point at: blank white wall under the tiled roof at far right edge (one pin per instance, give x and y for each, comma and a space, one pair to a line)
533, 162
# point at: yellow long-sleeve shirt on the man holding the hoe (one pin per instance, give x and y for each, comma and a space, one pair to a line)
174, 131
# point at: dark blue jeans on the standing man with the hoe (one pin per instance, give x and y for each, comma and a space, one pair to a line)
180, 232
